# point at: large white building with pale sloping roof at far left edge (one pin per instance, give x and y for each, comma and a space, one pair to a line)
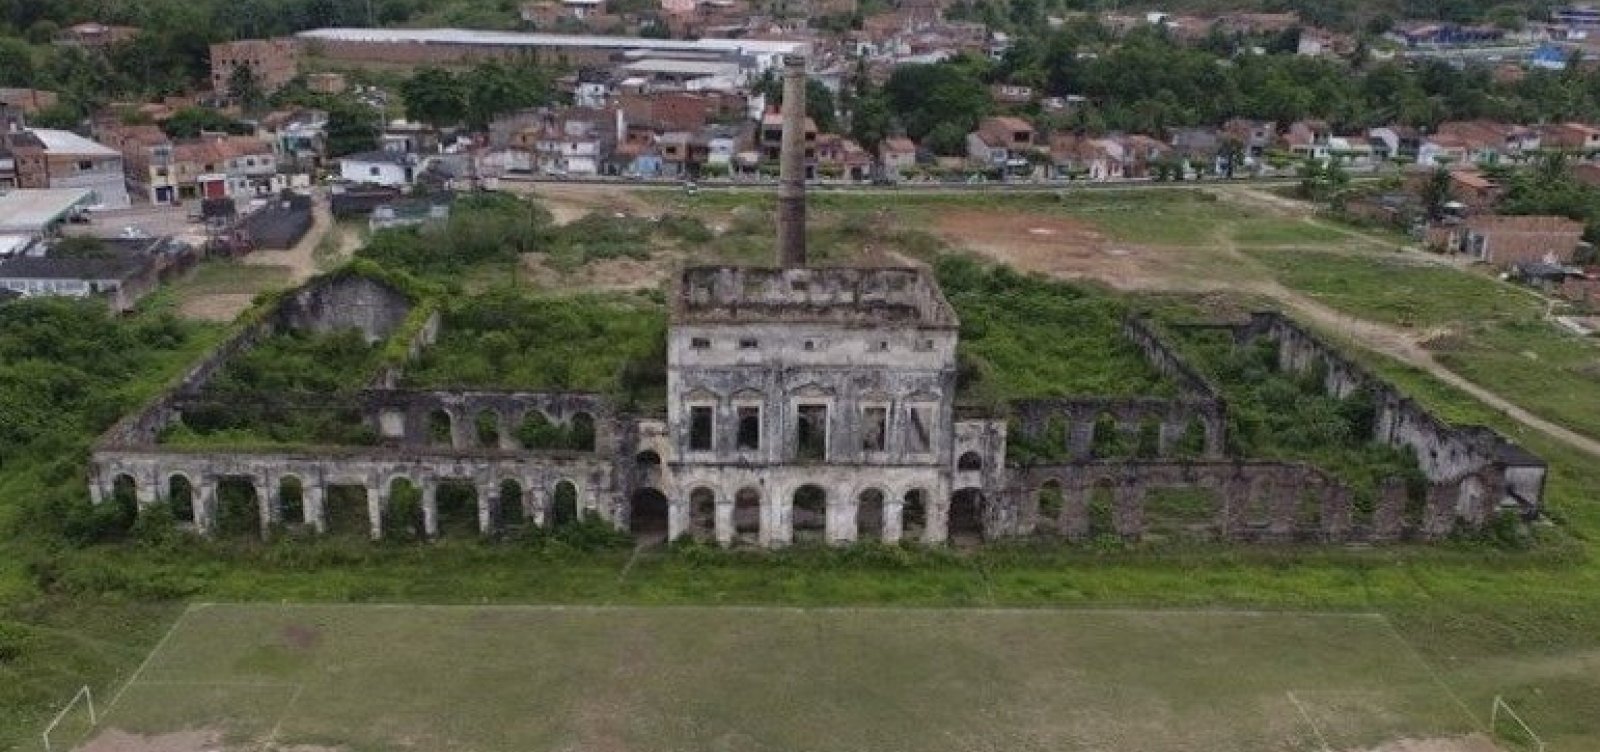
50, 159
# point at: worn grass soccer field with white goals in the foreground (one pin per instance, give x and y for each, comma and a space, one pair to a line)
772, 679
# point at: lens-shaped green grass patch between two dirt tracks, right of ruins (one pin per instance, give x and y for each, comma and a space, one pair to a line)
1398, 289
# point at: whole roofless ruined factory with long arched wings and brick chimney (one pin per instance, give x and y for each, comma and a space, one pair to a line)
817, 404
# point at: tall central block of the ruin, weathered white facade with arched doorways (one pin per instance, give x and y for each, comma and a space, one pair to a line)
817, 402
